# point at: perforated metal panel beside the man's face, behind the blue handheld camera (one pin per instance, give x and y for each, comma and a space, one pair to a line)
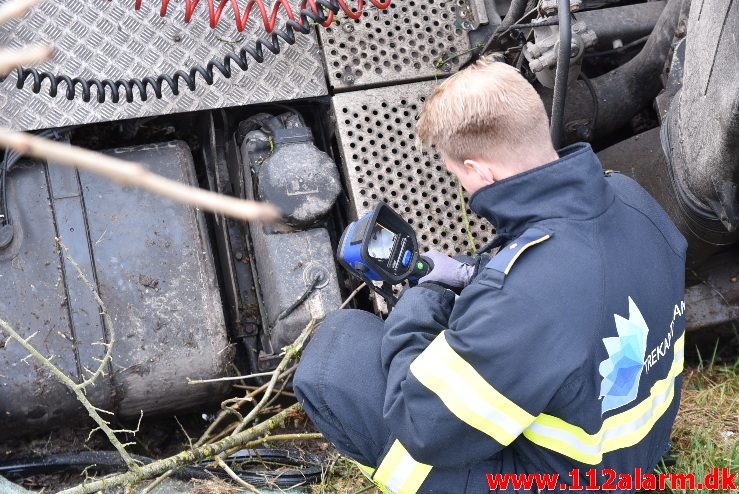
383, 163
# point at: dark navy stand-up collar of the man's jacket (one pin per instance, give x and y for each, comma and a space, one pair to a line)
571, 187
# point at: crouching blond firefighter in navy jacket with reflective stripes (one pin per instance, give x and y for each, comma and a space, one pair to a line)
562, 351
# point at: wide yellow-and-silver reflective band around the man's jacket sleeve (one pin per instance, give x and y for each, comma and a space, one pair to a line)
467, 395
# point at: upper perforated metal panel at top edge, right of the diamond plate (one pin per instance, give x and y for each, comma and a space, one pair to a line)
410, 40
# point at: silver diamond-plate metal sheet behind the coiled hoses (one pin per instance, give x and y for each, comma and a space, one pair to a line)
111, 40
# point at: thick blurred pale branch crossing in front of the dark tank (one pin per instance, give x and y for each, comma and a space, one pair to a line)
136, 175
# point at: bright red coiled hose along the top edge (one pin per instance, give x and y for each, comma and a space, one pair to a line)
216, 7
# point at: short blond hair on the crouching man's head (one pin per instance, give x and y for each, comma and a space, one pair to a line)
485, 109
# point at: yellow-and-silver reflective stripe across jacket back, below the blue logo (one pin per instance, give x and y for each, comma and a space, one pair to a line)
619, 431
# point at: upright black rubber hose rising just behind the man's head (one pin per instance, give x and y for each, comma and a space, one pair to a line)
562, 74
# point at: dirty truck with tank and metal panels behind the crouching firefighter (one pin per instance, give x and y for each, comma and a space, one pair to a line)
319, 122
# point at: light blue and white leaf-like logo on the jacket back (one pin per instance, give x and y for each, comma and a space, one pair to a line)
622, 369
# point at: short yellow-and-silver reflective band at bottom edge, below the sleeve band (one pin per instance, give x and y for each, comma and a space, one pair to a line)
399, 473
